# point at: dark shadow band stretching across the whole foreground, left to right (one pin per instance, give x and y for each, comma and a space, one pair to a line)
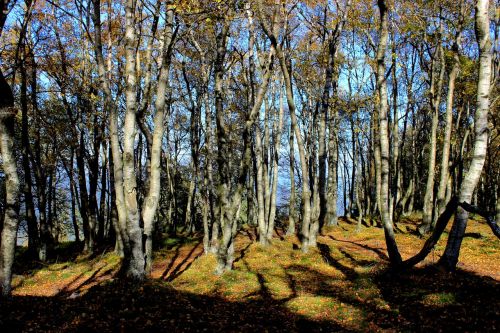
420, 300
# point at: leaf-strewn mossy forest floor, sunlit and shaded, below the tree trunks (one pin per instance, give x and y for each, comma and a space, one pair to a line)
343, 285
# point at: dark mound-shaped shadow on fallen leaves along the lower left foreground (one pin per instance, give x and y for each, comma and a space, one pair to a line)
124, 307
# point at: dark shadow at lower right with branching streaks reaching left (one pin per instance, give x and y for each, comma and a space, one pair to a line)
421, 299
